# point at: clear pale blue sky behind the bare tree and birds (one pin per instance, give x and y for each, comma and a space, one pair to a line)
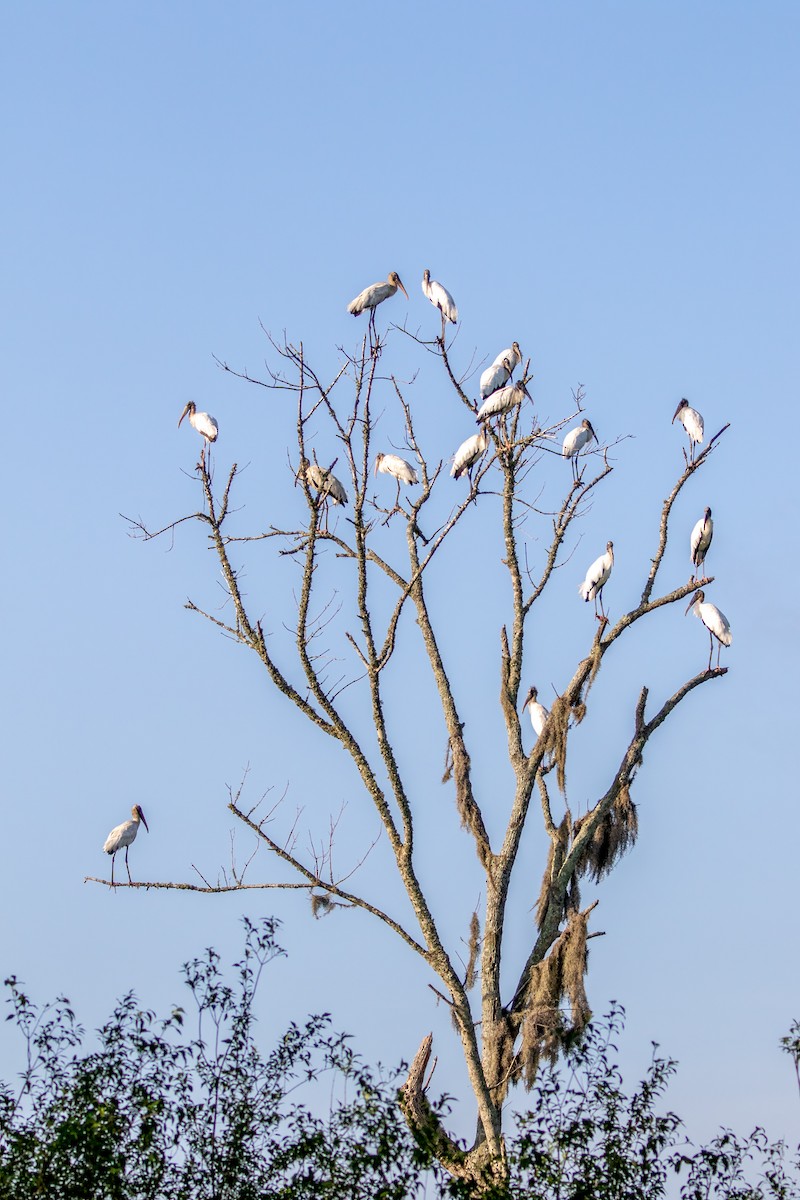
613, 185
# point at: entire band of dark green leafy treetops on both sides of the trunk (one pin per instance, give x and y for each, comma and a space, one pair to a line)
190, 1108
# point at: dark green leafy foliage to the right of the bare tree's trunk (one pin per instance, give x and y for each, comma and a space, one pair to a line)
585, 1138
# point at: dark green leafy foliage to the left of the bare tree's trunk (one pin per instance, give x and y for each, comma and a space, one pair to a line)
157, 1111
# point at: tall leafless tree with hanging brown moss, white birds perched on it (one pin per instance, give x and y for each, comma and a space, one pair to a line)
504, 1035
